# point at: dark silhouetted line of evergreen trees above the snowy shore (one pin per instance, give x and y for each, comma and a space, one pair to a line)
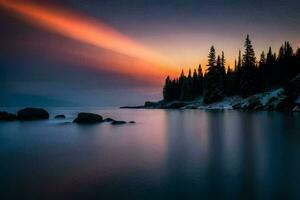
248, 76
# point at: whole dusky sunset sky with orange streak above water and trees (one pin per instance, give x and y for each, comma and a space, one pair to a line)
118, 52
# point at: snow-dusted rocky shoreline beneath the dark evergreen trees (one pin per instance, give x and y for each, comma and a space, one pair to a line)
281, 99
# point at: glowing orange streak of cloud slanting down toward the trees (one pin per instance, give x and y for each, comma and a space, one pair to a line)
88, 31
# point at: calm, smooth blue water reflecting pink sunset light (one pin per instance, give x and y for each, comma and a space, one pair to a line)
189, 154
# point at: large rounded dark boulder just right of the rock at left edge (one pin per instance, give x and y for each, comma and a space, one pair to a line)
32, 114
